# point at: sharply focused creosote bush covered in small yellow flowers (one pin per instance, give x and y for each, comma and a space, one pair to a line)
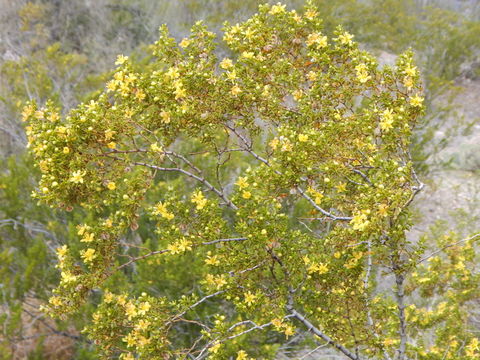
284, 168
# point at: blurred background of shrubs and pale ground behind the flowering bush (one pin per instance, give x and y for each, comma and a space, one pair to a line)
65, 51
